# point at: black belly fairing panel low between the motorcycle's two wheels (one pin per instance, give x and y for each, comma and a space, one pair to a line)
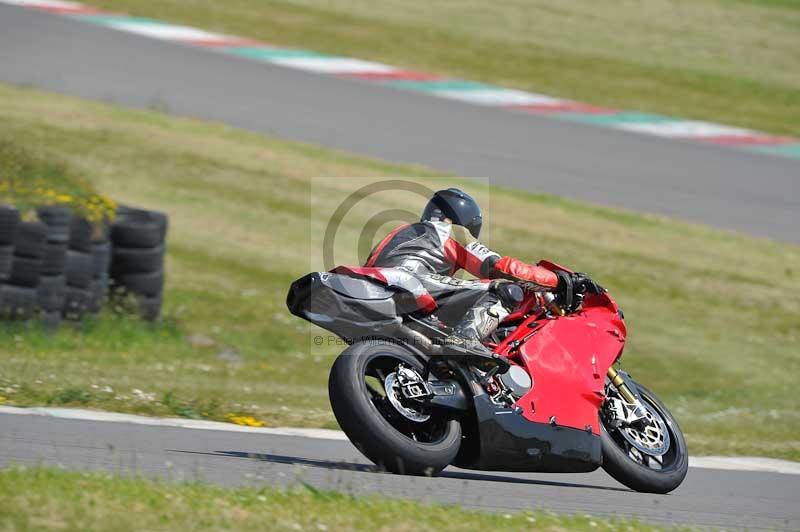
509, 442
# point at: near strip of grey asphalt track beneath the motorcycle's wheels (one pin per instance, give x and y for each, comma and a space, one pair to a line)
708, 497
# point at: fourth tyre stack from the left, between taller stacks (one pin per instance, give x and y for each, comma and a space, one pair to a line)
78, 270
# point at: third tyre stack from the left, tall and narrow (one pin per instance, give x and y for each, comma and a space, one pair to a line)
52, 284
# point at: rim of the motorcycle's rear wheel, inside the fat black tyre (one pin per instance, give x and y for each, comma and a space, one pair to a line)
414, 420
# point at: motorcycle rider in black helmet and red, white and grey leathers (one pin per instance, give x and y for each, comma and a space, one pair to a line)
421, 258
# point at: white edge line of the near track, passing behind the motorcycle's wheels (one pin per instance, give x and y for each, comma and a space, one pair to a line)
730, 463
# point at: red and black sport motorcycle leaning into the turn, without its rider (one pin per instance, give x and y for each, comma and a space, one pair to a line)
548, 400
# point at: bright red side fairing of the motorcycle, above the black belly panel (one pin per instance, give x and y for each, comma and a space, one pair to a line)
568, 358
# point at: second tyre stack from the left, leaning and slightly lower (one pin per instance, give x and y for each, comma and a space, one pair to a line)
19, 291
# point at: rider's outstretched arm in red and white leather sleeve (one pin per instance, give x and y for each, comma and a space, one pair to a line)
484, 263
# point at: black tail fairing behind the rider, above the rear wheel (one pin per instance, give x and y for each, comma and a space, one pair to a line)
348, 307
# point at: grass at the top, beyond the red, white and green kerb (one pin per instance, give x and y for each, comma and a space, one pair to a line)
731, 61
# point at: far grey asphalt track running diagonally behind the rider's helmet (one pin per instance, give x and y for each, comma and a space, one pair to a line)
743, 191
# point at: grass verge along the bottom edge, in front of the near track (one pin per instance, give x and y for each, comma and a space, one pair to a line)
50, 499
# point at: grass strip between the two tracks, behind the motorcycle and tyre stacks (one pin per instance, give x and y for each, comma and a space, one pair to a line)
713, 316
